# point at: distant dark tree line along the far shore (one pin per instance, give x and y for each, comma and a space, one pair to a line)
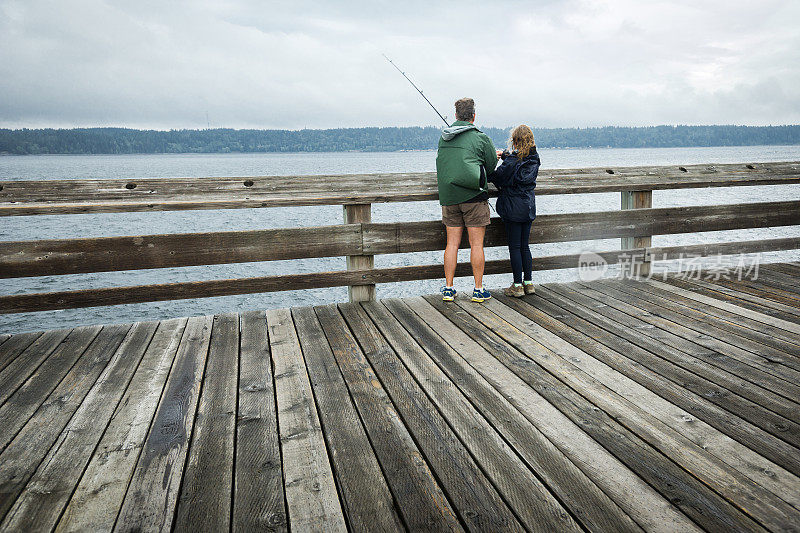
131, 141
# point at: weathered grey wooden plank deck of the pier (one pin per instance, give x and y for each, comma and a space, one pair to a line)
613, 405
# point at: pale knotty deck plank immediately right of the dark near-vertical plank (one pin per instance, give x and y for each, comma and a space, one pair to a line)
309, 485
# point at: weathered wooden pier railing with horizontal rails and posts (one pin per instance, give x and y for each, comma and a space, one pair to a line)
358, 238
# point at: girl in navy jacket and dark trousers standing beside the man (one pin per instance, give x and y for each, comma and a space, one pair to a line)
516, 205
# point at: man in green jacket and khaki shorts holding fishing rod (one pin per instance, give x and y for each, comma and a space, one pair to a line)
464, 160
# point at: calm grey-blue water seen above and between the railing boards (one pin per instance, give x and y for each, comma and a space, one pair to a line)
139, 166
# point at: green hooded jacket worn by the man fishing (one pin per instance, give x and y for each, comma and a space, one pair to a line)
463, 151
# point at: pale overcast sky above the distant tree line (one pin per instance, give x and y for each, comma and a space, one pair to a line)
262, 64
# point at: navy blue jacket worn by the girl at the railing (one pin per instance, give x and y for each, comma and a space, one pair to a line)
516, 180
